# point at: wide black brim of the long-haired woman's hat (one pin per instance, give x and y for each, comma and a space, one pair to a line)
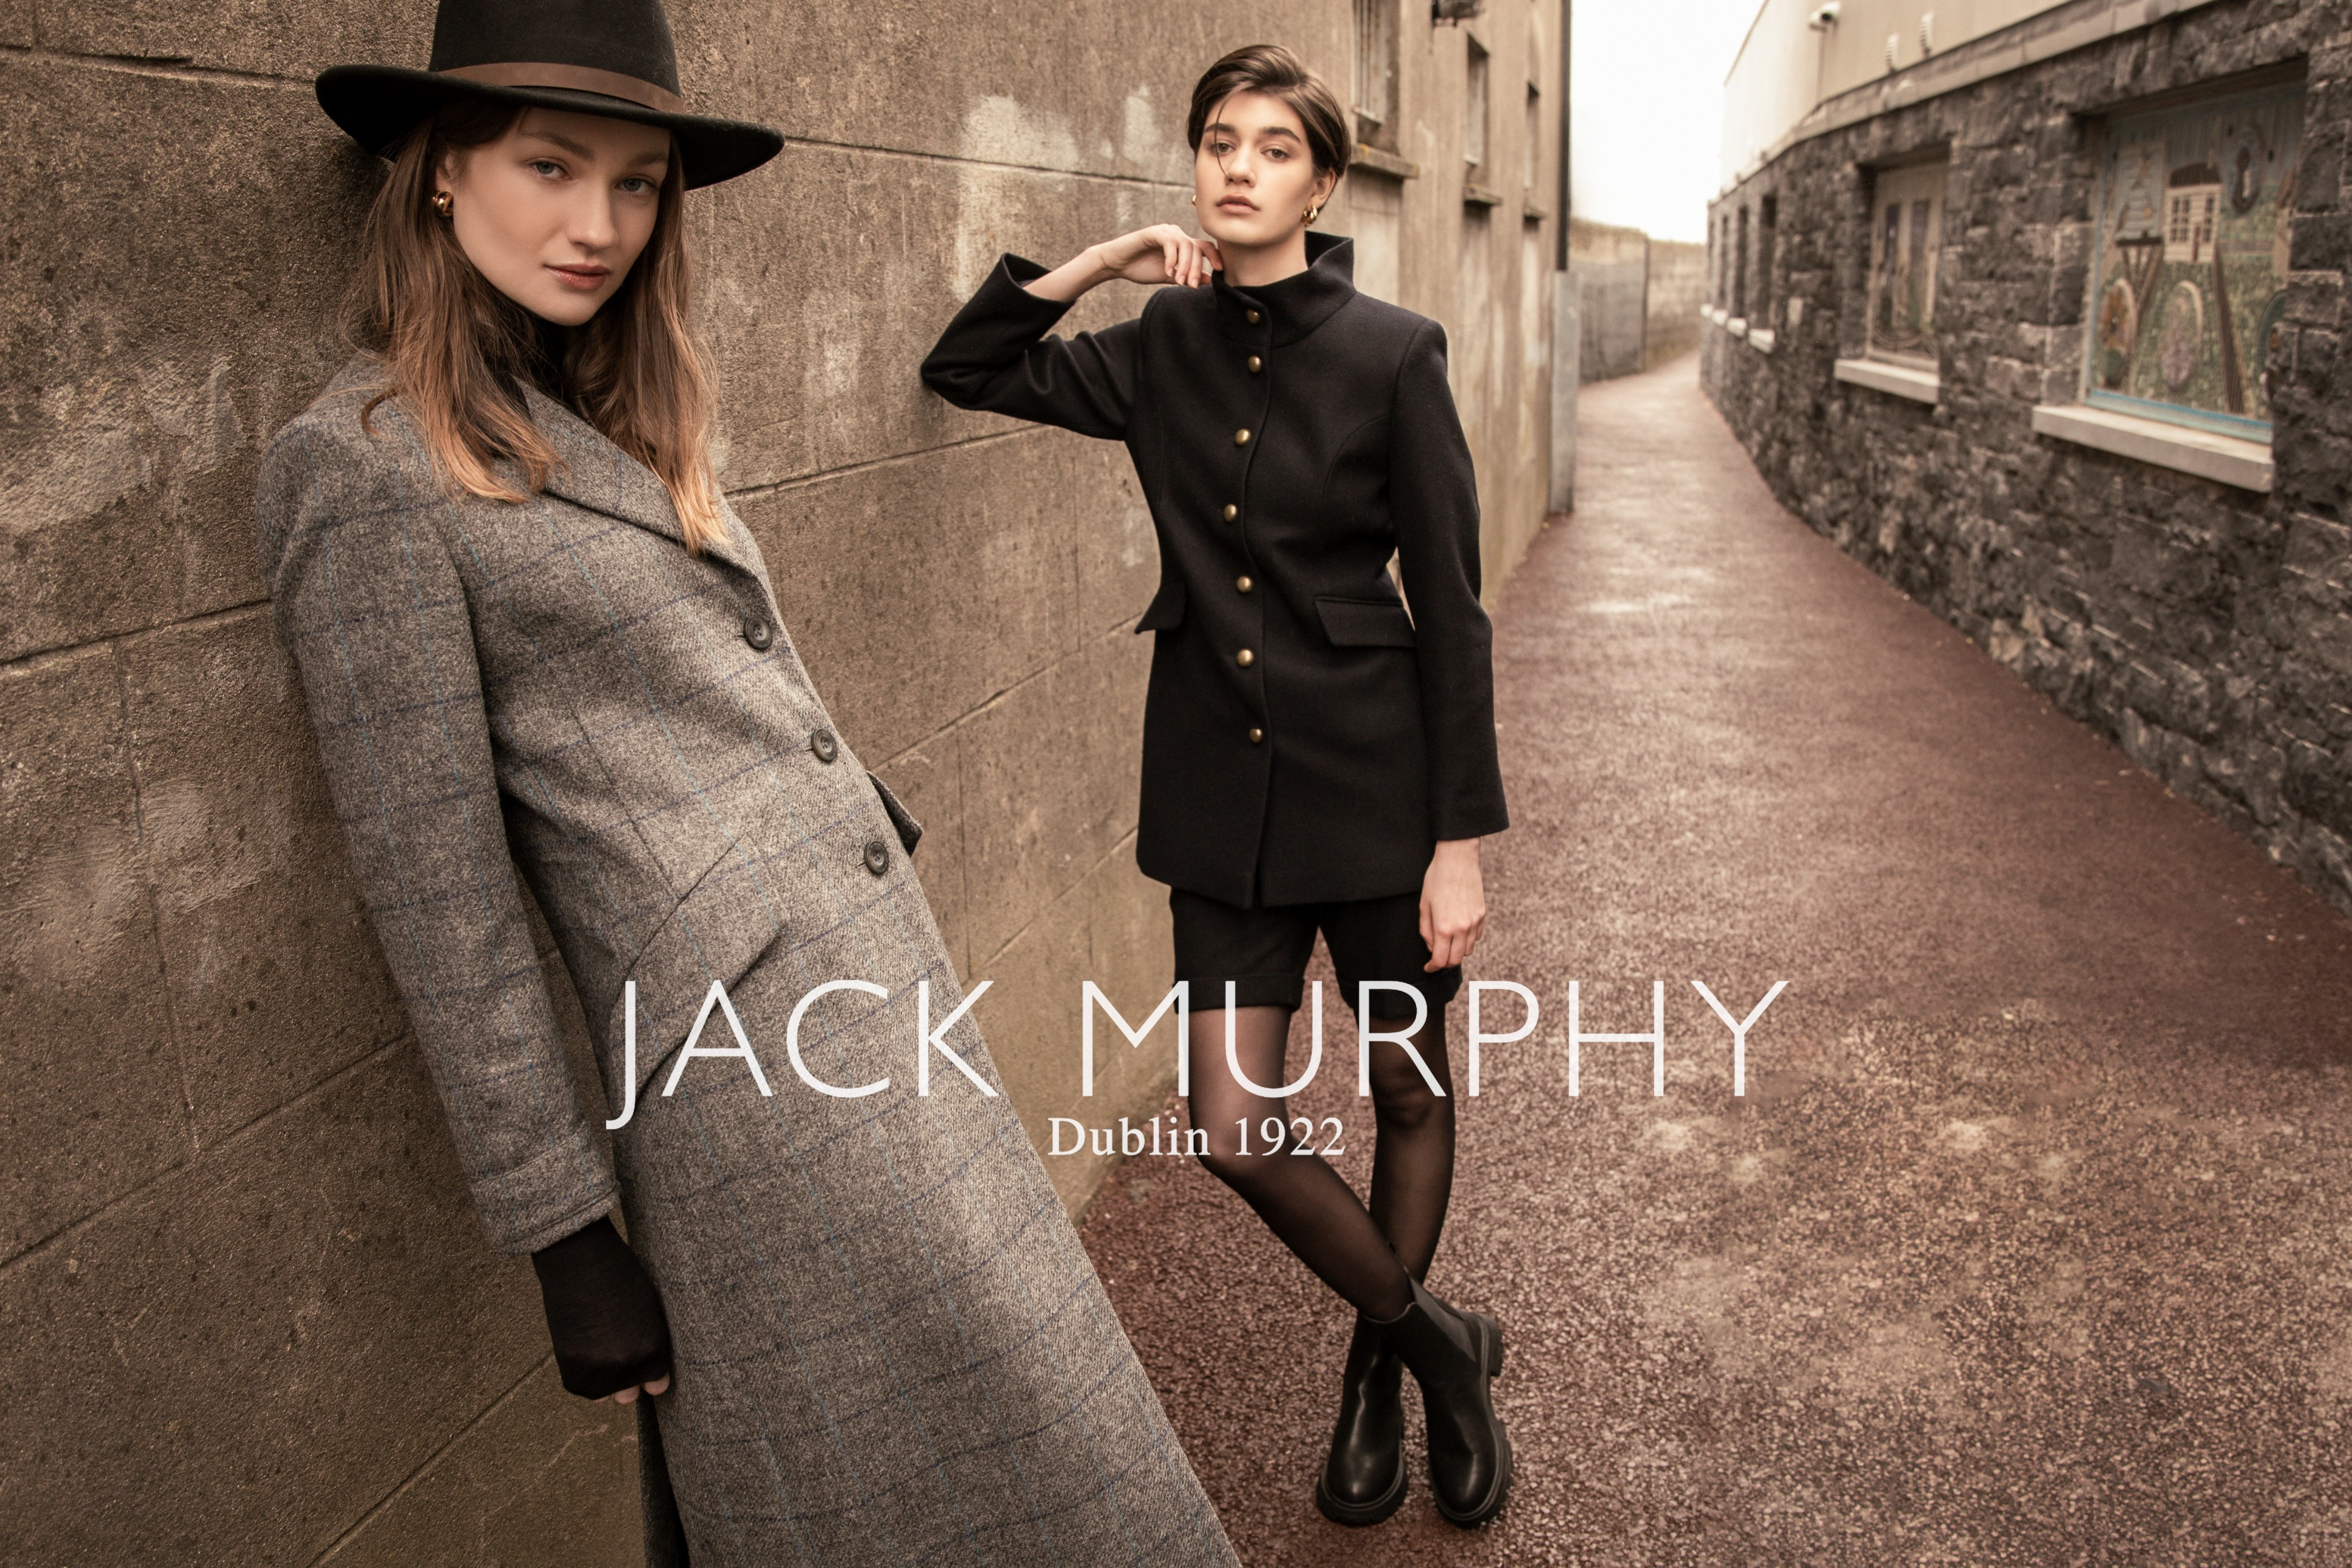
382, 105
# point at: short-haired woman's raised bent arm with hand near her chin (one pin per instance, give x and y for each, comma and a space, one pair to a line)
996, 354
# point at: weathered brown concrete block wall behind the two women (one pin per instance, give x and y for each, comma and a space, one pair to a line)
250, 1311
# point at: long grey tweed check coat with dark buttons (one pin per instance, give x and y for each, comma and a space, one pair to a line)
890, 1346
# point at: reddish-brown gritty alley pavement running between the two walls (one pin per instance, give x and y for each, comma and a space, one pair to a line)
2026, 1242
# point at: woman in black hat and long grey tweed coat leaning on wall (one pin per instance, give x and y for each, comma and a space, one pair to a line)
542, 652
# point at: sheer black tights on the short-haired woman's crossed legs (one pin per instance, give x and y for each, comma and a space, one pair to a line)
1365, 1254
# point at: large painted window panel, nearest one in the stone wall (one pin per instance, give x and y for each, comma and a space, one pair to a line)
2193, 227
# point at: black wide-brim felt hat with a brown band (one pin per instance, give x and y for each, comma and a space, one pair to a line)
592, 58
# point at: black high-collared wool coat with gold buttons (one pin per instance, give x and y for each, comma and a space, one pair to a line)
1304, 737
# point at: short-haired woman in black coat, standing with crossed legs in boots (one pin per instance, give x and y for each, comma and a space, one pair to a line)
1316, 758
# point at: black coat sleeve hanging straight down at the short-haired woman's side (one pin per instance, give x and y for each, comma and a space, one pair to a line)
1434, 504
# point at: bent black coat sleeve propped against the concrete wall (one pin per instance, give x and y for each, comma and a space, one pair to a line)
996, 356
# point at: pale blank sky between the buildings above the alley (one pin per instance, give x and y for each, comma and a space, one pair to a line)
1648, 109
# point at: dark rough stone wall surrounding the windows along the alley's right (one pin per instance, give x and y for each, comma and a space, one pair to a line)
2203, 626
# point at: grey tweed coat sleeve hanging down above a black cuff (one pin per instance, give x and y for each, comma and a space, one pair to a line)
375, 615
